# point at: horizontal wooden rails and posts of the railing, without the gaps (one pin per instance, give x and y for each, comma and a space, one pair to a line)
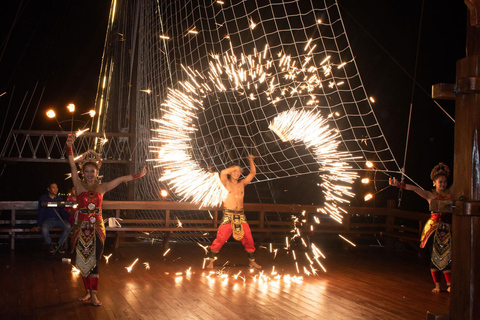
389, 227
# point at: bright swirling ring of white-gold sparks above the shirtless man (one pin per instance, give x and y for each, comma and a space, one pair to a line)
274, 83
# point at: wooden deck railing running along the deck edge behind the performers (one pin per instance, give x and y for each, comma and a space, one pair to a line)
266, 220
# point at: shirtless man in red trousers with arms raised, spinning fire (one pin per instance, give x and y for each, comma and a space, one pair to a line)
234, 221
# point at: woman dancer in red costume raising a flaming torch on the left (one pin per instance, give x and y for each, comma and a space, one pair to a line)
89, 230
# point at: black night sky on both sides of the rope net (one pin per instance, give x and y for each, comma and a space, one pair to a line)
59, 44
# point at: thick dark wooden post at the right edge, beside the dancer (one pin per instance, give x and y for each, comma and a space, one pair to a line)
465, 295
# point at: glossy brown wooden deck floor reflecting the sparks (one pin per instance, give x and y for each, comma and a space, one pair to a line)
361, 283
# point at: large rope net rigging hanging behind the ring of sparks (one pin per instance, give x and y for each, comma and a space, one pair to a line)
249, 61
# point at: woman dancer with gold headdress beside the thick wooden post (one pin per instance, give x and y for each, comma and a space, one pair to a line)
437, 231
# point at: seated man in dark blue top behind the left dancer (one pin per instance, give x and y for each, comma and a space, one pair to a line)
48, 219
